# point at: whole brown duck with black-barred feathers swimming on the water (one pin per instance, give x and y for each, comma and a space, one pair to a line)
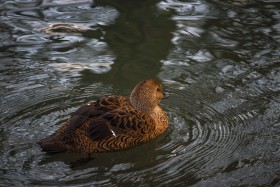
112, 123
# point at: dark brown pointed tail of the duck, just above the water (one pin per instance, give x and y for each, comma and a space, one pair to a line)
51, 145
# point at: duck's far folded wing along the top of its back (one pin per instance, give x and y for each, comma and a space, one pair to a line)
93, 110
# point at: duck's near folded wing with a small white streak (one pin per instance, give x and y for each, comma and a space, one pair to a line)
124, 121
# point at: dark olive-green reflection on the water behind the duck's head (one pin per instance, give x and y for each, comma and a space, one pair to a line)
140, 38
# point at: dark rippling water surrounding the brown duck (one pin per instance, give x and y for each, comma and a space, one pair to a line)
219, 60
